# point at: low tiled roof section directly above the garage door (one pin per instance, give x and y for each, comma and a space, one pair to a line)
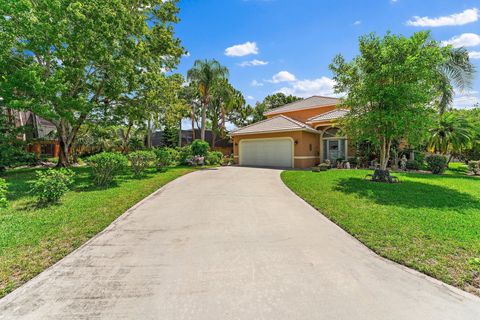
276, 124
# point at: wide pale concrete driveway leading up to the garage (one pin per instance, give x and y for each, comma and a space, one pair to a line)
232, 243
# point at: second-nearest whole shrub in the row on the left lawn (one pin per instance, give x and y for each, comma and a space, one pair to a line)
106, 166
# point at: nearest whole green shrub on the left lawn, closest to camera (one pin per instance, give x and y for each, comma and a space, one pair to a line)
52, 184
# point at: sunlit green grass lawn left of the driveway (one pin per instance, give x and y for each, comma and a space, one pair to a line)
32, 239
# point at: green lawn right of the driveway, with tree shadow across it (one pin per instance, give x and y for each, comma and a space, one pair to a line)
429, 223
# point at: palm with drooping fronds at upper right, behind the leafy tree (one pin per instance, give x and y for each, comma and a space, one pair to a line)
456, 72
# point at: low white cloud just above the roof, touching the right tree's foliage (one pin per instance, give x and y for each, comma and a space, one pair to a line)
306, 88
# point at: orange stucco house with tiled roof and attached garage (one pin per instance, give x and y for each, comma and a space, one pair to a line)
297, 135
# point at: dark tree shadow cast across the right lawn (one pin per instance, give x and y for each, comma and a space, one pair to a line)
408, 194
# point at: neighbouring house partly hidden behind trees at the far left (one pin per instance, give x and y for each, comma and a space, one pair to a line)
39, 133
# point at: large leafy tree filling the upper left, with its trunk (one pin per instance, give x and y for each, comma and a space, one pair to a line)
75, 57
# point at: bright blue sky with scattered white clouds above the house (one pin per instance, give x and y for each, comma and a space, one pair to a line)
286, 45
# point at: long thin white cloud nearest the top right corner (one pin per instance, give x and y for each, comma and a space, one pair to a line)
456, 19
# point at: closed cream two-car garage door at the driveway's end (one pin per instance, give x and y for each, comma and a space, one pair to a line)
266, 153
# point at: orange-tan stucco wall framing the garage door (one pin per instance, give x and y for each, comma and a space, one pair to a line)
304, 156
